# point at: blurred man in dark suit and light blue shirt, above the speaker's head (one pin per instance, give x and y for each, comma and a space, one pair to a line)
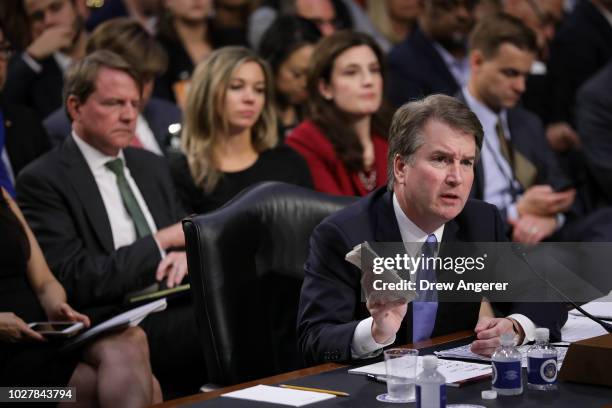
432, 59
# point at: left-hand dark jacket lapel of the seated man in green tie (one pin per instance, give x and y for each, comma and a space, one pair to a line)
86, 189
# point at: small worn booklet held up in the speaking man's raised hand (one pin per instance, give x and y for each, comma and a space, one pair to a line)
368, 277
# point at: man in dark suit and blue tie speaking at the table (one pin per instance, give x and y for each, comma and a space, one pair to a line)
433, 145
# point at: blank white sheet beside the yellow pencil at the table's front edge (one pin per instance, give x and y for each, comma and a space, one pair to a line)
278, 395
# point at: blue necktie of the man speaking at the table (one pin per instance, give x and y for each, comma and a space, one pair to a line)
425, 306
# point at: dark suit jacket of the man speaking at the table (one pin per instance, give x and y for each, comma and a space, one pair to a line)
330, 306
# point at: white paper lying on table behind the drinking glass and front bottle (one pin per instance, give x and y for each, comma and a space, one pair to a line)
453, 371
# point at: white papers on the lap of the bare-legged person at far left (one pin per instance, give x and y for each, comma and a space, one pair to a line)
126, 319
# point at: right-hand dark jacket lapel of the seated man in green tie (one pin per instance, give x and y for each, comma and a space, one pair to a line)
146, 185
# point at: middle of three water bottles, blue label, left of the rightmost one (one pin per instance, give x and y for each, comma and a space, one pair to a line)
506, 362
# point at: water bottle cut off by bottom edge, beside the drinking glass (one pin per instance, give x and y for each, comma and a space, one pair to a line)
430, 385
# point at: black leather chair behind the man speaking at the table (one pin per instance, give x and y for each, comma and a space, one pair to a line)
246, 269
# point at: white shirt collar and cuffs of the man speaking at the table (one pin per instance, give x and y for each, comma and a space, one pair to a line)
363, 344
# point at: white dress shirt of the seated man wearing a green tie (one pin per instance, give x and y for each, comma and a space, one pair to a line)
122, 226
